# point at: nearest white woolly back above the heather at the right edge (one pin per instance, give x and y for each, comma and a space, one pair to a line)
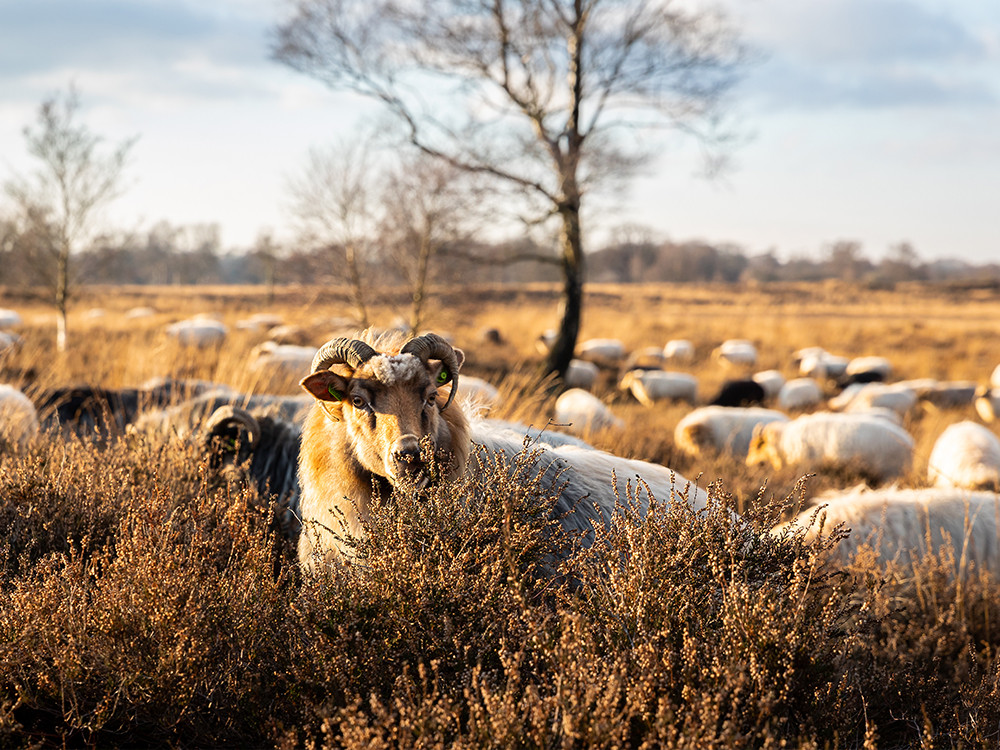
897, 523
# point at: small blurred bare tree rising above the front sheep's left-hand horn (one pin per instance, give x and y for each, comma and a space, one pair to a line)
332, 198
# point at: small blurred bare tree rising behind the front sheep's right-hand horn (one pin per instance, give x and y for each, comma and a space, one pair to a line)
428, 206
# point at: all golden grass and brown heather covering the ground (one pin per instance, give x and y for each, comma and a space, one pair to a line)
145, 603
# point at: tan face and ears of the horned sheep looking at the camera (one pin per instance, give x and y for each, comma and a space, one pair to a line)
391, 410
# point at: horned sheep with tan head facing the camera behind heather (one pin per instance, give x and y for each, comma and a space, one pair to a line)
384, 416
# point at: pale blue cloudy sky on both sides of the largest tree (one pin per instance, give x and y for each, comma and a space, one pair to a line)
875, 121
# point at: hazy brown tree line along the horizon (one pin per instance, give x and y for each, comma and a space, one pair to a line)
182, 255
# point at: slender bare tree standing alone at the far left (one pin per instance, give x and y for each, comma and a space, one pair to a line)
61, 202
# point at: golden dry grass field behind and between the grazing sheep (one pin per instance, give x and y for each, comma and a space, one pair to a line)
926, 332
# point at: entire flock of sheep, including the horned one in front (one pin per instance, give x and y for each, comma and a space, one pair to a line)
326, 450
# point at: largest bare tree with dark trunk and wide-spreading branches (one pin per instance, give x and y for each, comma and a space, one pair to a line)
540, 94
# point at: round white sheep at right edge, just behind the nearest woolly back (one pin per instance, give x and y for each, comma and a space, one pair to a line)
965, 455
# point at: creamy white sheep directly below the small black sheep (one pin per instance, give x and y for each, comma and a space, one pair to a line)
722, 429
